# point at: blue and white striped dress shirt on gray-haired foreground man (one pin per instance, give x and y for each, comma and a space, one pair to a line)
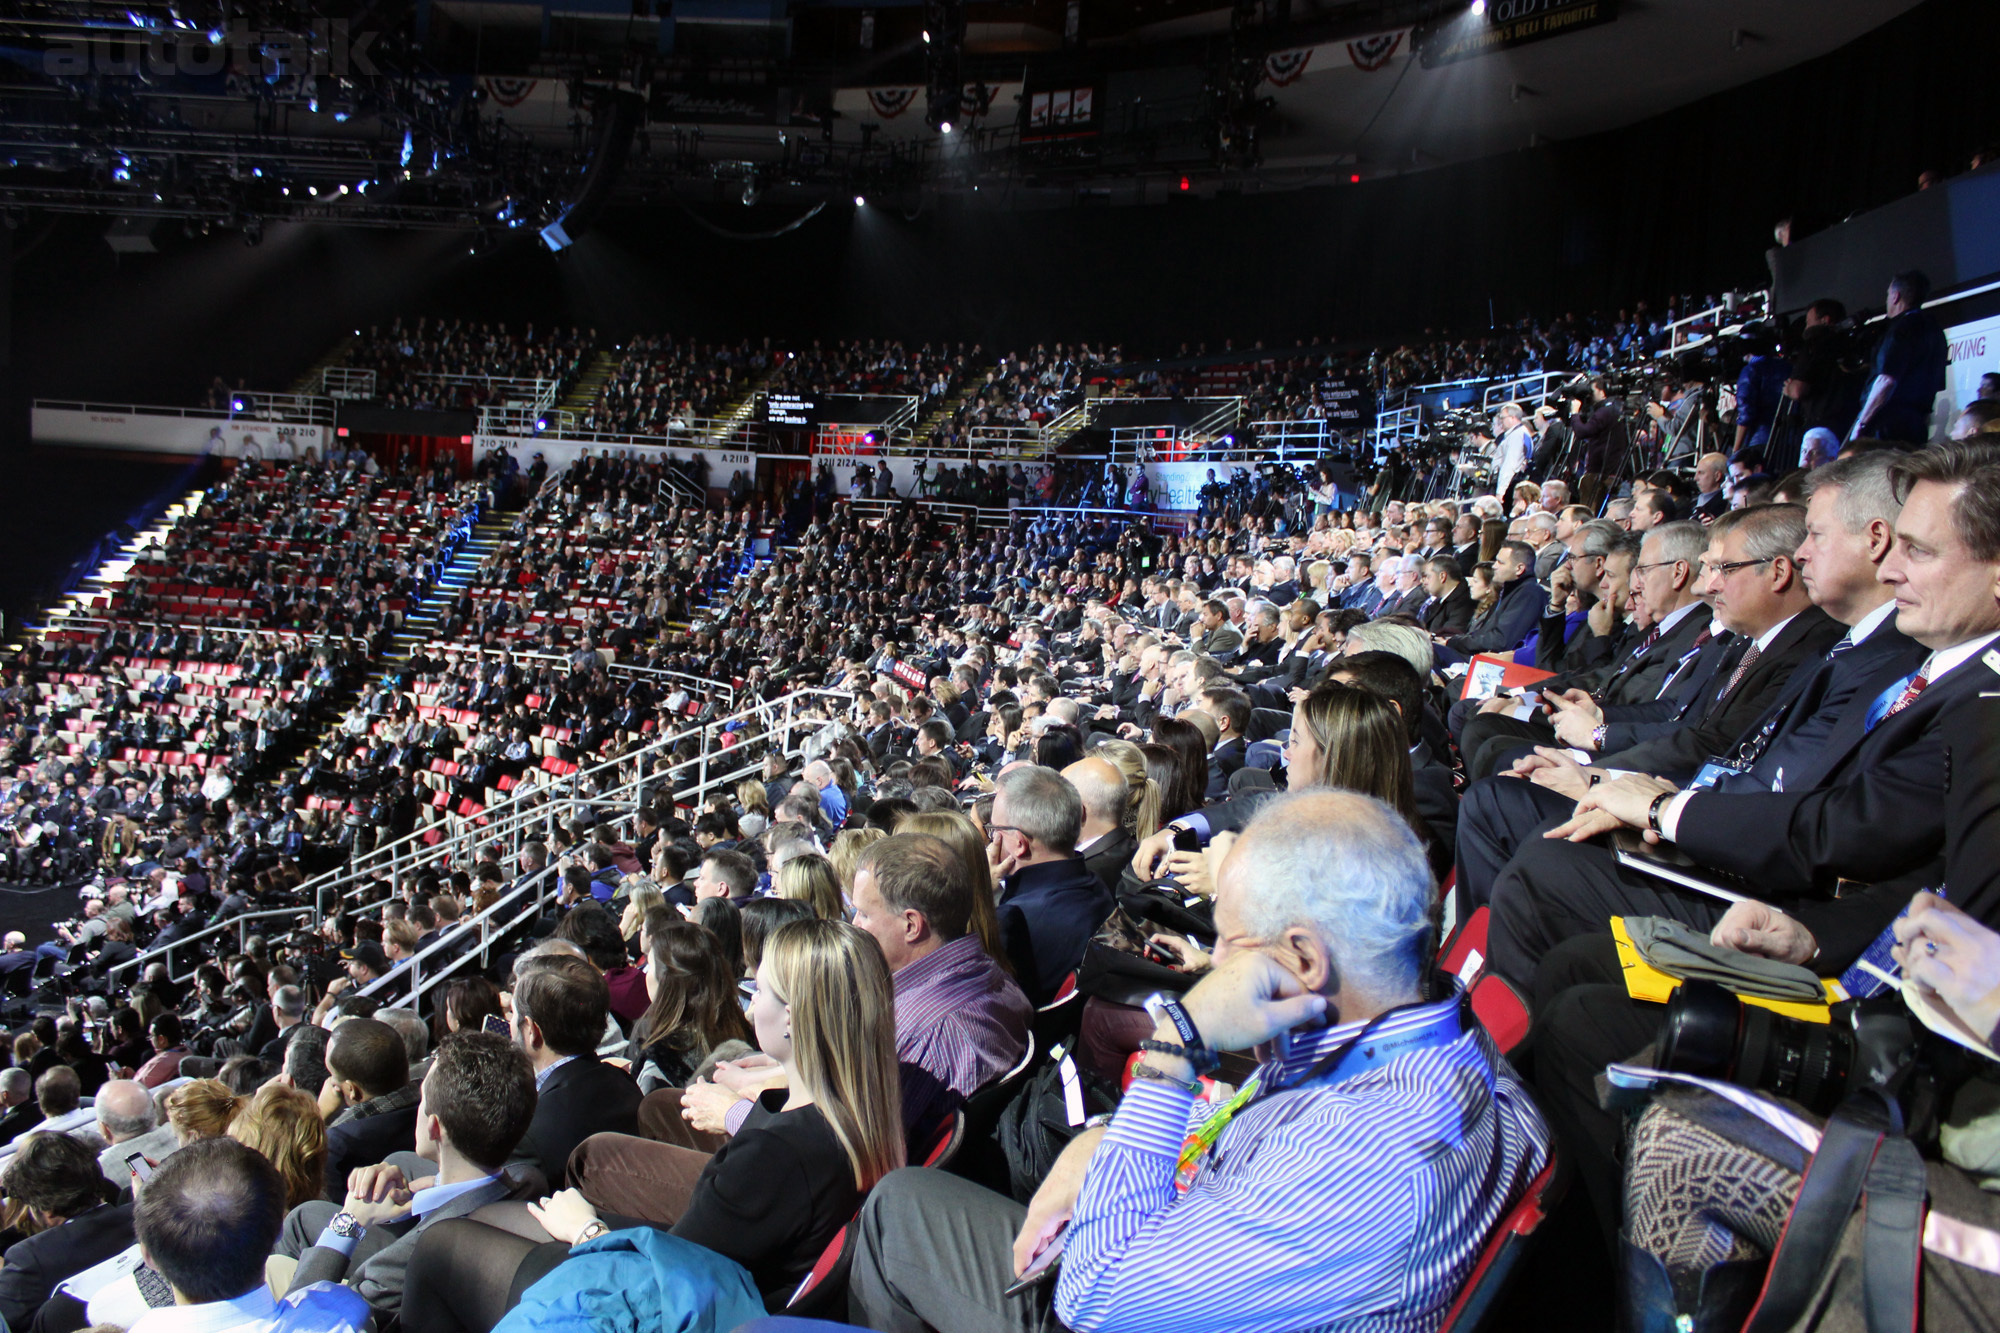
1335, 1206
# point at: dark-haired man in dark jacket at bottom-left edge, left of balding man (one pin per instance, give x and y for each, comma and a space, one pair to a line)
57, 1180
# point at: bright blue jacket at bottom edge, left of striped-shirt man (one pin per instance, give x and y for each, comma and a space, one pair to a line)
639, 1282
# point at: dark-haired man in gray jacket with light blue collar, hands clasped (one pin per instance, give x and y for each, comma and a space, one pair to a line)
475, 1108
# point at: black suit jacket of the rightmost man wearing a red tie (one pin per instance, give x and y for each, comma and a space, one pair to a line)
1877, 818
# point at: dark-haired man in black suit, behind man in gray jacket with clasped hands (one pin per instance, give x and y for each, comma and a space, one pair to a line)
561, 1006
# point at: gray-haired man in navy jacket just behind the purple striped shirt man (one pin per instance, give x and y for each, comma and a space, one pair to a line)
1051, 904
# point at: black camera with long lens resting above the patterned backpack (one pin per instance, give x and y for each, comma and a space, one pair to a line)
1713, 1034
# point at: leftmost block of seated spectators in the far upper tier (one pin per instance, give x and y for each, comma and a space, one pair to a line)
451, 363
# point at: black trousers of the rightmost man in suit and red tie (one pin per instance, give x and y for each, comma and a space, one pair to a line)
1553, 892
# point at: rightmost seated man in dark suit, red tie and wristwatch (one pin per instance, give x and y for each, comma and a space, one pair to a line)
1867, 804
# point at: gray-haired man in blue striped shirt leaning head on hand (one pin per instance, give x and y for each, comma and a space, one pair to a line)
1299, 1212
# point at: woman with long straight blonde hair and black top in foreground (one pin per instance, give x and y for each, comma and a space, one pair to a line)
811, 1150
